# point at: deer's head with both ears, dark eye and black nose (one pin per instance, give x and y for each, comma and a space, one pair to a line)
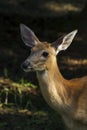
43, 54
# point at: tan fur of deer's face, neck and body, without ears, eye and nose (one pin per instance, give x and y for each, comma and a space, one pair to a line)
68, 97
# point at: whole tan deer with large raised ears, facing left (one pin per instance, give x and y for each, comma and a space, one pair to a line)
68, 97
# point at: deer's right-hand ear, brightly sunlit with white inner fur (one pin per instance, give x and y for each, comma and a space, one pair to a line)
64, 42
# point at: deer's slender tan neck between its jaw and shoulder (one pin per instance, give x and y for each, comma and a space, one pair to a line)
53, 87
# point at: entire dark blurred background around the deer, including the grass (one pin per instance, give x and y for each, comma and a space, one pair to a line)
21, 103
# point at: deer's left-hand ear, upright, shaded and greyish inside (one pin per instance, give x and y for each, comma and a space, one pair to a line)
28, 36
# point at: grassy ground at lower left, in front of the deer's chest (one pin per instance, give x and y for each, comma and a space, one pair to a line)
21, 113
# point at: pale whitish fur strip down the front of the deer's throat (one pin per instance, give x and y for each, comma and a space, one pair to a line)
49, 91
